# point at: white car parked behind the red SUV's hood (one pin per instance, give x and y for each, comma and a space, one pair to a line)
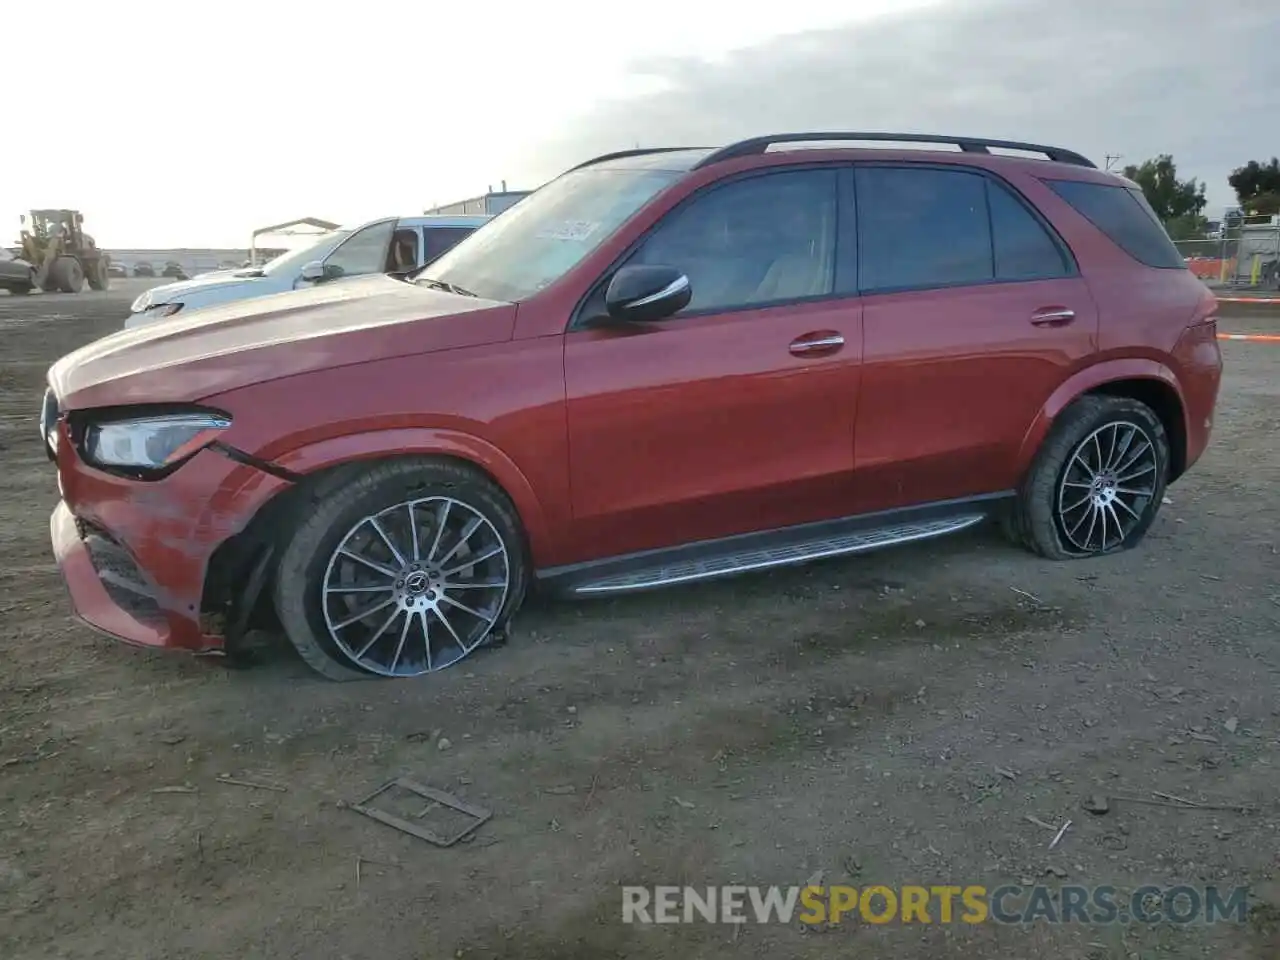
390, 245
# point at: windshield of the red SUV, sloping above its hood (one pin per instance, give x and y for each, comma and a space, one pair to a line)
547, 234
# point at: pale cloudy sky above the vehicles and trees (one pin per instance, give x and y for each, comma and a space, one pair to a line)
209, 121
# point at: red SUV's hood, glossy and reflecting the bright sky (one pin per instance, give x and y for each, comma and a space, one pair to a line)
284, 335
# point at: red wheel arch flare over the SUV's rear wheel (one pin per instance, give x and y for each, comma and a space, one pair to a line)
1141, 380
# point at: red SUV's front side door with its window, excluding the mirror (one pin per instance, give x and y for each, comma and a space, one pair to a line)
738, 414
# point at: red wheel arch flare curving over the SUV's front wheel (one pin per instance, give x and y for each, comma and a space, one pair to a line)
376, 445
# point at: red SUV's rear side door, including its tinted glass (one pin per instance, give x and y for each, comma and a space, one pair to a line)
975, 312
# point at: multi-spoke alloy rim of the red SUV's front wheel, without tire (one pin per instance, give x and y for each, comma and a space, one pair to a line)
415, 588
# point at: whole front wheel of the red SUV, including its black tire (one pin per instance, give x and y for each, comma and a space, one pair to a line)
317, 584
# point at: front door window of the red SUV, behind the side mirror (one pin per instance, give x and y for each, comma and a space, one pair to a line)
757, 241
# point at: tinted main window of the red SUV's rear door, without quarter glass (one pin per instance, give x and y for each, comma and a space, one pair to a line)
922, 228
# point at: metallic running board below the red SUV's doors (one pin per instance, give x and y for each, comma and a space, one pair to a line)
778, 555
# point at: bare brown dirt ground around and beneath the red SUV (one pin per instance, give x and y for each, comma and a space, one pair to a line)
893, 719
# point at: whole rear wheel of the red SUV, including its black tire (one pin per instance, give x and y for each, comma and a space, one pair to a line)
1059, 516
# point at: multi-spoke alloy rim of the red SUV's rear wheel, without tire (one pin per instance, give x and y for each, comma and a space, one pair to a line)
1108, 488
